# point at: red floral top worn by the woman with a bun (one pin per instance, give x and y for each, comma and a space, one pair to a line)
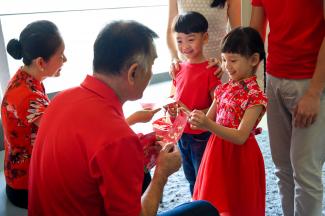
23, 103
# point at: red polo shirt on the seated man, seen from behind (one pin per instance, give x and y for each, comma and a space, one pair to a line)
86, 159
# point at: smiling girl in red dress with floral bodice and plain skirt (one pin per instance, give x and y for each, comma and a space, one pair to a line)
232, 175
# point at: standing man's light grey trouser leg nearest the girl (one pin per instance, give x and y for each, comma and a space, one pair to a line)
279, 119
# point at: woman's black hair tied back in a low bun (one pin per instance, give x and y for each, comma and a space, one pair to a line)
38, 39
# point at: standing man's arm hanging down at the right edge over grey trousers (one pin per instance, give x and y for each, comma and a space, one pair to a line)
308, 106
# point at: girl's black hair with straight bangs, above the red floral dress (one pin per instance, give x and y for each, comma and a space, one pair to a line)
244, 41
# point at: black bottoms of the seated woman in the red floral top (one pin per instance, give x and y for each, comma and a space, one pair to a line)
17, 197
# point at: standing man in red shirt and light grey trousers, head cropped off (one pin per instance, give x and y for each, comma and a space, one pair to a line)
295, 89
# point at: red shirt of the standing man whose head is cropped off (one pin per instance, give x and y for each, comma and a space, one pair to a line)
297, 29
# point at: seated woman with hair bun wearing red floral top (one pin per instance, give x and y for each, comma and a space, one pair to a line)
42, 49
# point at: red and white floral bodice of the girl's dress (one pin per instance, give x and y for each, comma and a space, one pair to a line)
234, 97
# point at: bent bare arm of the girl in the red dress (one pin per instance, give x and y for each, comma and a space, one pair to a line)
236, 136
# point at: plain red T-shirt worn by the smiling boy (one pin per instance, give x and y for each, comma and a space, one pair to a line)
193, 83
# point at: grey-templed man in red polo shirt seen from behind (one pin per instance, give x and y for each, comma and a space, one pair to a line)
86, 159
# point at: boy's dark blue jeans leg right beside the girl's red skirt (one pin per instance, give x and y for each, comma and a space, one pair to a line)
197, 149
